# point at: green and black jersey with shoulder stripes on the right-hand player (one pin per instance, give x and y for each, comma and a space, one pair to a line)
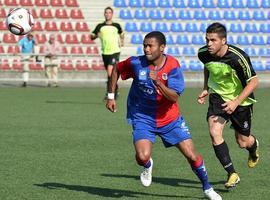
229, 74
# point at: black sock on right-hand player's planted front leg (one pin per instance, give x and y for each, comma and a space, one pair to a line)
222, 153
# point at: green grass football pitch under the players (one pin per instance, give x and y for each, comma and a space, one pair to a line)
62, 144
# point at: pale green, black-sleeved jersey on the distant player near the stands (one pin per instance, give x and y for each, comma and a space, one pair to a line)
109, 36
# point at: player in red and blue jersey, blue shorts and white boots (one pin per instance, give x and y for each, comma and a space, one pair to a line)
152, 107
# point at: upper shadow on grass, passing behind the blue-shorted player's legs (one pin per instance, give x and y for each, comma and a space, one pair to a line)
170, 181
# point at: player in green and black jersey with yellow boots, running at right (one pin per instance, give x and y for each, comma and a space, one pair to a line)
230, 80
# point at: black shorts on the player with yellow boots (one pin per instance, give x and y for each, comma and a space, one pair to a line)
240, 118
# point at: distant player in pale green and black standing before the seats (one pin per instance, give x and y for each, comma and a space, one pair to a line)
112, 38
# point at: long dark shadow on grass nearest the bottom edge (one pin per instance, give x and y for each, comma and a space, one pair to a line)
107, 192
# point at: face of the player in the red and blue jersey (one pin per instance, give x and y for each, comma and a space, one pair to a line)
152, 49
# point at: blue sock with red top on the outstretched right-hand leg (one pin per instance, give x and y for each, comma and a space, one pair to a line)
200, 170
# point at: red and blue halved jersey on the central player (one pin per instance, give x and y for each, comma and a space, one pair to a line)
145, 104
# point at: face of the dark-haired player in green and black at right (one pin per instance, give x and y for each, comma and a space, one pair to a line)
214, 43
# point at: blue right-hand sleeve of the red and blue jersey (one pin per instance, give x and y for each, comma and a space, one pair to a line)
176, 80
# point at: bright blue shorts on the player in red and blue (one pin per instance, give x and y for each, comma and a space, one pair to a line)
171, 134
